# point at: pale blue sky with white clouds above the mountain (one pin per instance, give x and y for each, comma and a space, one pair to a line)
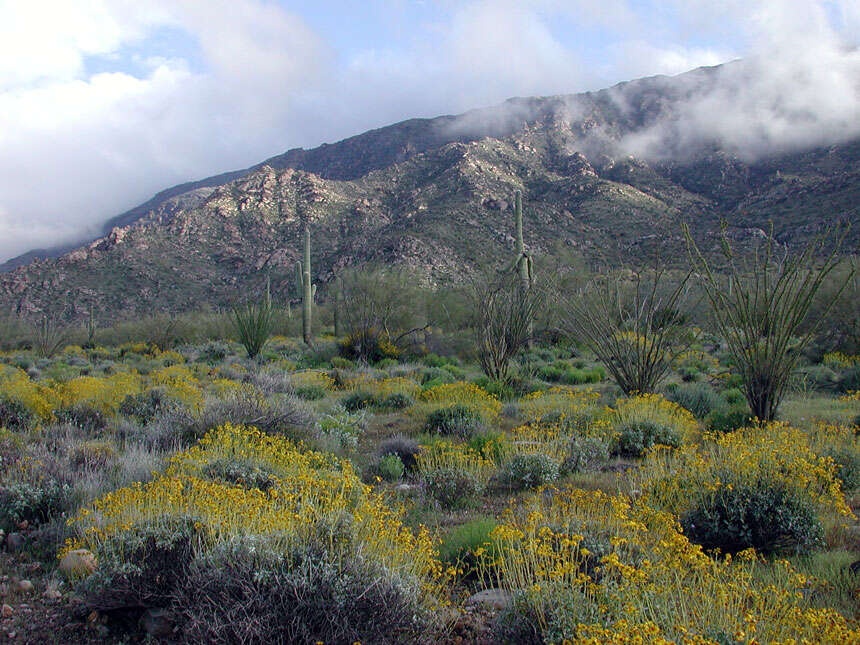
105, 102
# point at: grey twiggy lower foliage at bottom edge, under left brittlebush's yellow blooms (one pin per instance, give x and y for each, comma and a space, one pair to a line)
247, 594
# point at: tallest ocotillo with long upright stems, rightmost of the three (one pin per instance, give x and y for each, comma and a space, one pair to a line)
759, 304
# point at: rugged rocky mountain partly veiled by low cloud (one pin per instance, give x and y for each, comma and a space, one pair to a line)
435, 195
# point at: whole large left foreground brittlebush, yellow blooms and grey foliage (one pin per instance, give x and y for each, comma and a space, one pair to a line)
172, 541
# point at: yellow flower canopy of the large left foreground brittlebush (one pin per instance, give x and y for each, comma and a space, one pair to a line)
310, 490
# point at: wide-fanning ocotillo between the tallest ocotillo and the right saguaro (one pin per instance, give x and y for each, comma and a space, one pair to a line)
633, 323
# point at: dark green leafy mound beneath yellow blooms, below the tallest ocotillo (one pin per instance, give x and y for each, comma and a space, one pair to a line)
766, 516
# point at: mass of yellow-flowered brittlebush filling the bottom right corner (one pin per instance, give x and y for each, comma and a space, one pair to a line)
595, 568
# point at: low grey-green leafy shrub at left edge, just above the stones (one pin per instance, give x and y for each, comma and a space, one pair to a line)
34, 502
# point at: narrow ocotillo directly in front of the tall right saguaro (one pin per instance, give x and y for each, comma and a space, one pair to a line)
503, 310
